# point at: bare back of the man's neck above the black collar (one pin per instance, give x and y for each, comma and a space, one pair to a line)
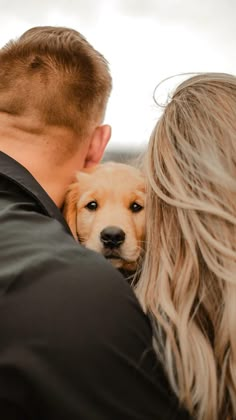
34, 150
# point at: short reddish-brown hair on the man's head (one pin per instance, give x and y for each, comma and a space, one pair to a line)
54, 73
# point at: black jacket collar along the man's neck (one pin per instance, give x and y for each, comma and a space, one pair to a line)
18, 174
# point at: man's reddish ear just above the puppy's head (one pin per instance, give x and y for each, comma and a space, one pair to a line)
98, 143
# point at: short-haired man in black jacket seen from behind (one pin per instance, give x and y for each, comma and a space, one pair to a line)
74, 342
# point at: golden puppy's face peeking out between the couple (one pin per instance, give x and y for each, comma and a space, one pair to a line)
105, 212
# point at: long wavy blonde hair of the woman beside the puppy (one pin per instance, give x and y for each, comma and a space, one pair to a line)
188, 282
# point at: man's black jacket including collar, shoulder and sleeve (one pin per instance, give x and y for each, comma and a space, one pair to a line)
74, 342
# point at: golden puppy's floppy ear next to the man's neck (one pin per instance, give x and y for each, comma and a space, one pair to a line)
70, 208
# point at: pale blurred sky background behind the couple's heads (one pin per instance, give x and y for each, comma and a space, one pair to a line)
145, 41
